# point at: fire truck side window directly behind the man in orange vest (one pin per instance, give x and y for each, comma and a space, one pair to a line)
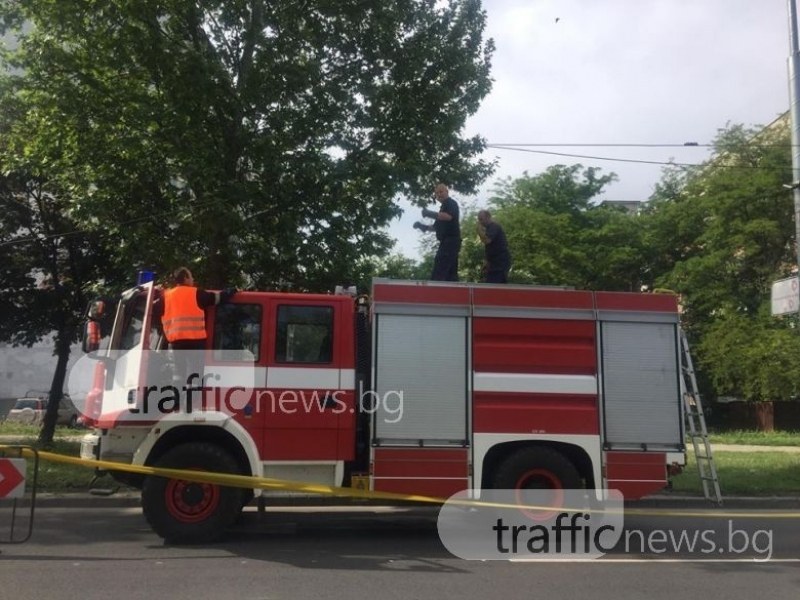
237, 332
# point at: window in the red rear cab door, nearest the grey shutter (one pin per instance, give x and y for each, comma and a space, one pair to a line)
304, 334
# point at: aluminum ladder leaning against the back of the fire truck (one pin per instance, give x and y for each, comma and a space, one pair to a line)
696, 426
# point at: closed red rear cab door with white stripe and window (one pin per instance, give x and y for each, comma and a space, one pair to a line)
308, 405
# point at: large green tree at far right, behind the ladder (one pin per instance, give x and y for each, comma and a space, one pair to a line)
719, 236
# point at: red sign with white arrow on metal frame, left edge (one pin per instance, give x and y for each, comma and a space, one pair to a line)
13, 469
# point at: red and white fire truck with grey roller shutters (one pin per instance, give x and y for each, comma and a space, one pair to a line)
423, 387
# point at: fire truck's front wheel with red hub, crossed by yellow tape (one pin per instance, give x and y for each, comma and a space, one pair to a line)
184, 512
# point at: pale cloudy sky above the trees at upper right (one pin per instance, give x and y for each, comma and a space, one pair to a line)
598, 72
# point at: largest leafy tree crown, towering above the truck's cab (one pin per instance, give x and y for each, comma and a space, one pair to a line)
253, 137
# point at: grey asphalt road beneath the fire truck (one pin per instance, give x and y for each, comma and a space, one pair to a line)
376, 552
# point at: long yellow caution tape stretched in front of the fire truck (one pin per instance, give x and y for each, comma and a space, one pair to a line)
266, 483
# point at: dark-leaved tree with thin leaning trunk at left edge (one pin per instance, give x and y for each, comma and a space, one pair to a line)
48, 276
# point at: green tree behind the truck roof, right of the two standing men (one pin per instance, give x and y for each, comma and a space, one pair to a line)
559, 235
